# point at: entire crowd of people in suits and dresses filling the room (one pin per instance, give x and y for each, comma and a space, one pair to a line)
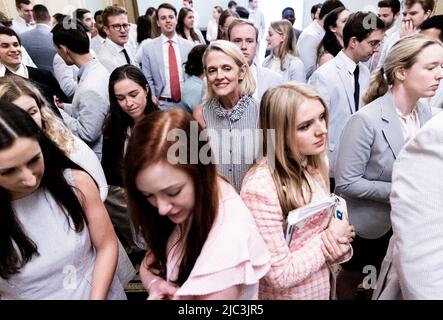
163, 153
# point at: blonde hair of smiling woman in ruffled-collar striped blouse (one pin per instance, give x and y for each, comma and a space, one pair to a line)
247, 85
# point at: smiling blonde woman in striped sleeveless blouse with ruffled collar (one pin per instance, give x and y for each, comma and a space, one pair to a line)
229, 110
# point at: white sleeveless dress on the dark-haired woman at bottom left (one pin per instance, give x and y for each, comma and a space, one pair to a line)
63, 269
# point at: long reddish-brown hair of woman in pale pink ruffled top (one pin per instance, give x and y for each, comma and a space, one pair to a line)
149, 145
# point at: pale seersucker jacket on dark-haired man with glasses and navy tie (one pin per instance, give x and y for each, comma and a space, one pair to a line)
335, 86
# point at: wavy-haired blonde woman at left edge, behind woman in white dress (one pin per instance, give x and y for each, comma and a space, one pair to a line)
26, 96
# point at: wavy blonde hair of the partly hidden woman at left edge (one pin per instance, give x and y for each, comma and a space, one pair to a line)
13, 87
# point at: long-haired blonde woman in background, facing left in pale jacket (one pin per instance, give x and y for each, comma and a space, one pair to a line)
284, 57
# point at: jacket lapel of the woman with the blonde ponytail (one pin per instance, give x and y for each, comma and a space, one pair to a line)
392, 130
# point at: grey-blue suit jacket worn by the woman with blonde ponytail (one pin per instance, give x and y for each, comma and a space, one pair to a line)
369, 145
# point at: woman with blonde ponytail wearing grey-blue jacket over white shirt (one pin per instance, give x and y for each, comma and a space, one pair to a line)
371, 141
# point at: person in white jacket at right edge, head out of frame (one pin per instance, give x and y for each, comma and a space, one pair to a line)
412, 267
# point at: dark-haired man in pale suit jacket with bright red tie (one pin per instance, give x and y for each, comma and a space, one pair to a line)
163, 58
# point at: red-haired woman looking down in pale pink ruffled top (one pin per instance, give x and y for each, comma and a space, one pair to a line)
202, 241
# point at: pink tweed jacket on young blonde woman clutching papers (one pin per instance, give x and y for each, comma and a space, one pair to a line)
301, 274
